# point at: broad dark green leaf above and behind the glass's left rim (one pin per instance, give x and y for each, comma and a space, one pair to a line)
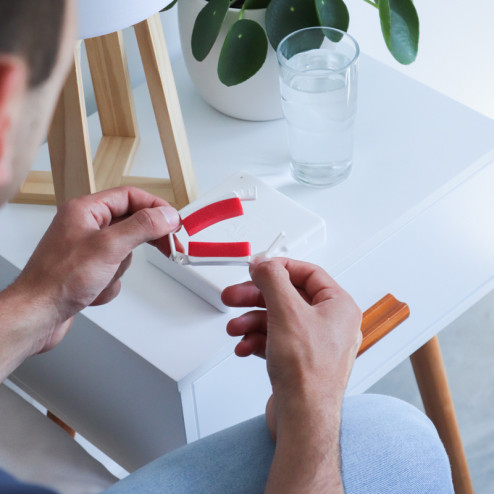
286, 16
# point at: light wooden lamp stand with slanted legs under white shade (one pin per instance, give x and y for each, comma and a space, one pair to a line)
74, 172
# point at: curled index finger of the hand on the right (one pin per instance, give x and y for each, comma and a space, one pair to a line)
312, 279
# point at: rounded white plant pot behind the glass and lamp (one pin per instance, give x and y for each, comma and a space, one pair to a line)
258, 98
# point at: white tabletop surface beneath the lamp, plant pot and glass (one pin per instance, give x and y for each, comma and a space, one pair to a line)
412, 145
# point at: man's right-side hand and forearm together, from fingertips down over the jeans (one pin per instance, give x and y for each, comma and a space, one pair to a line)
309, 335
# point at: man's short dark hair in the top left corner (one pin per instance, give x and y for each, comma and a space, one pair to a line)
31, 29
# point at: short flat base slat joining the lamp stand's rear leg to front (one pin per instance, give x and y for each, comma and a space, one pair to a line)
113, 159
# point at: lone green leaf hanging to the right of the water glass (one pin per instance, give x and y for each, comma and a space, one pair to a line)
400, 28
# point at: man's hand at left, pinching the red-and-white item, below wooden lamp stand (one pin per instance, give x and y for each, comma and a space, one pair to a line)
86, 250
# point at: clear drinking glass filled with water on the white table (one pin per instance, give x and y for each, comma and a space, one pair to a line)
318, 79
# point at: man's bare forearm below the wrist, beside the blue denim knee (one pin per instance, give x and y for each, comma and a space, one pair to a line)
307, 456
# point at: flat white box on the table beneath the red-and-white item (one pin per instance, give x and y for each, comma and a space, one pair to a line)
263, 219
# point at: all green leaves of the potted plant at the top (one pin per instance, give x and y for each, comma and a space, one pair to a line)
245, 47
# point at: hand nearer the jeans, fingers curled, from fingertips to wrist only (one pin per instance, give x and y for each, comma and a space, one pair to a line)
309, 334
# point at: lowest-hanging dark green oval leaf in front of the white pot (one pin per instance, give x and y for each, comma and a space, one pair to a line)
244, 52
